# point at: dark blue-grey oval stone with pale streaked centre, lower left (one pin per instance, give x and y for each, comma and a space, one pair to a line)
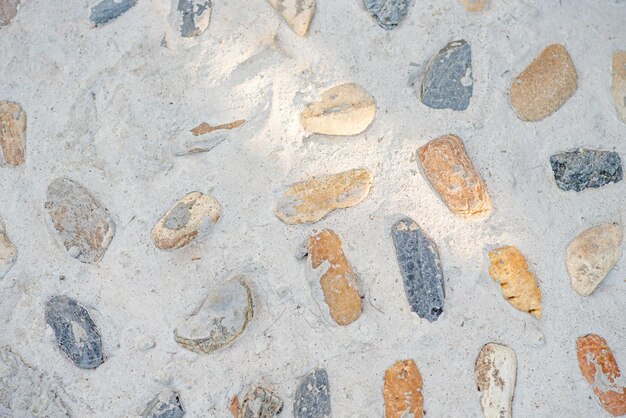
76, 333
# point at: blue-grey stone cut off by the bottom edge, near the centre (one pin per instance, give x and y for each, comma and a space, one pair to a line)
313, 396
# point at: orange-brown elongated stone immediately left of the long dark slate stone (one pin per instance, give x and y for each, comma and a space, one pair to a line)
337, 278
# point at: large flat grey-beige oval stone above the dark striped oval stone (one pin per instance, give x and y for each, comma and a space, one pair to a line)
77, 221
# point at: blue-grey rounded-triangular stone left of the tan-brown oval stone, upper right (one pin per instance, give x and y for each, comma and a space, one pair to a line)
448, 82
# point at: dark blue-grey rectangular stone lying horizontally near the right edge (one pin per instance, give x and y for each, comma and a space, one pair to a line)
583, 168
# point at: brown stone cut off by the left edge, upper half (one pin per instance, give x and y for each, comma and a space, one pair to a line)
12, 132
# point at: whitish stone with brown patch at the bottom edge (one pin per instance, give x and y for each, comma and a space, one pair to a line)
496, 369
